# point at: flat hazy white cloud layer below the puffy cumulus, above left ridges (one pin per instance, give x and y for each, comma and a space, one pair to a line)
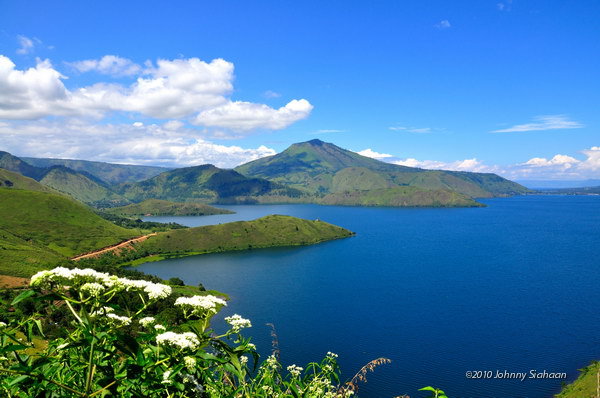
135, 143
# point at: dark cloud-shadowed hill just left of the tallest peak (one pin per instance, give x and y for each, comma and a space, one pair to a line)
204, 184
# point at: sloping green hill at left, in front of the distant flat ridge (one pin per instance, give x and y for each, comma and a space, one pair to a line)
81, 186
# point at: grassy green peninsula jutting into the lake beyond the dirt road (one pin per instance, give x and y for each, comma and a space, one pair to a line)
269, 231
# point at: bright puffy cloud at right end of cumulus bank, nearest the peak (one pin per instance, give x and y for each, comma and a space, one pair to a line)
244, 116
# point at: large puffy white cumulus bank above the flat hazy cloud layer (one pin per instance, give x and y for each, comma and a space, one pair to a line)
171, 89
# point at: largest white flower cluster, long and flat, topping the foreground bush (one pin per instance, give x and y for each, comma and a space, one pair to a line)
94, 283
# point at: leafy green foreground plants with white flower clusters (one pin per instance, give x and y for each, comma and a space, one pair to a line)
113, 343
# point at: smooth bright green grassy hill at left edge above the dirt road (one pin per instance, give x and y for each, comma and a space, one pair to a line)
56, 223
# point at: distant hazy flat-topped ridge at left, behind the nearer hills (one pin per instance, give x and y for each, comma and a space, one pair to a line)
108, 172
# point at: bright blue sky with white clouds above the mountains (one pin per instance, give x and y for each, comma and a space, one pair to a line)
510, 87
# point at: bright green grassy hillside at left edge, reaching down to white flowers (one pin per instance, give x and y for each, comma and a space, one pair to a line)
41, 228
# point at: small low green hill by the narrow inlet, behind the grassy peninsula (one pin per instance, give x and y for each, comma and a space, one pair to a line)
157, 207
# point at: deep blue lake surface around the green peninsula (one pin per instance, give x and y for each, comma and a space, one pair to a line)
514, 286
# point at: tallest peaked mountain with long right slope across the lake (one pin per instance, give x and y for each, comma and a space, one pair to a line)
337, 175
